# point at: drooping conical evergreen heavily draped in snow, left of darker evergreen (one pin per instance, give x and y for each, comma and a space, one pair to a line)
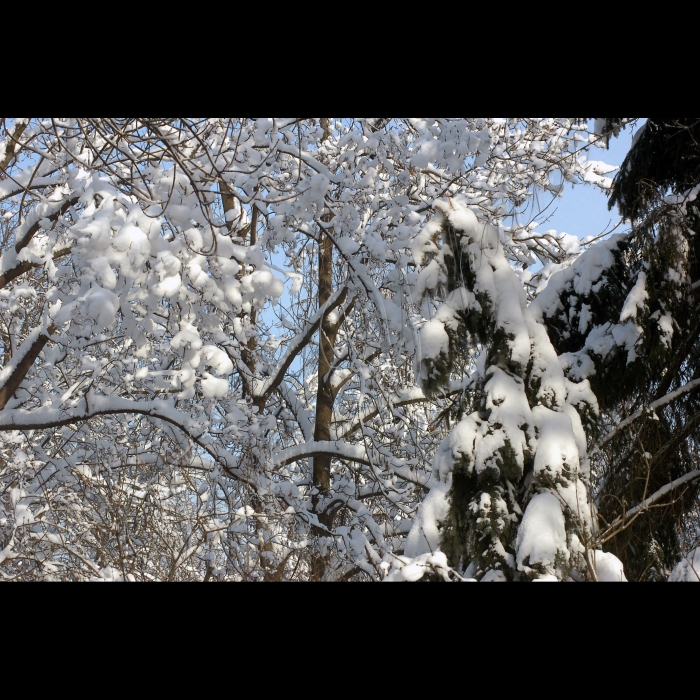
516, 464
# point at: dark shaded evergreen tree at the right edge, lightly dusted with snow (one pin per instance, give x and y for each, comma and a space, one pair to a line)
632, 330
